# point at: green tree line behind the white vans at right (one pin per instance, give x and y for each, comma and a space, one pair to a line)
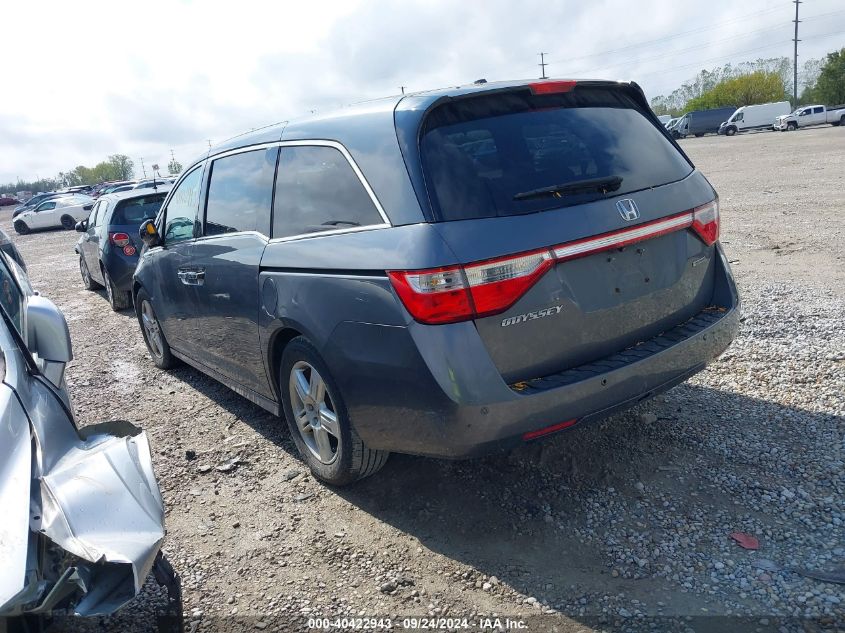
760, 81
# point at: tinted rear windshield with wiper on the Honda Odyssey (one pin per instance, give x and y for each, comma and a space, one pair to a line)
515, 153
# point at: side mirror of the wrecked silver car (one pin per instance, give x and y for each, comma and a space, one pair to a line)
48, 338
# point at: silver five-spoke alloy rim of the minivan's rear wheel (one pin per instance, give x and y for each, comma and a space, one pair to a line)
314, 412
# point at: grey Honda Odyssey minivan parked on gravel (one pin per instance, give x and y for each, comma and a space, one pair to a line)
442, 273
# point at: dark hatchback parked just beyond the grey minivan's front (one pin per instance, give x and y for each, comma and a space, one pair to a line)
109, 245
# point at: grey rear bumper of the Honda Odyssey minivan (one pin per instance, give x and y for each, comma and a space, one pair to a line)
444, 398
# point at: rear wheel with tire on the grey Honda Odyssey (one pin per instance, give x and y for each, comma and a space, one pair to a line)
337, 457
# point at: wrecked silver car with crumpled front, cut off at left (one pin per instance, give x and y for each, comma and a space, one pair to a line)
82, 516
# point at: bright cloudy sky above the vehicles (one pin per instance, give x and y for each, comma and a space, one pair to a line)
82, 80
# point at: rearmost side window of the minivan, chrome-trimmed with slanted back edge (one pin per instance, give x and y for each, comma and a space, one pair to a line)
317, 190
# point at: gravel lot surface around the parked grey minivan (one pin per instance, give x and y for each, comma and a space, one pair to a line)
622, 525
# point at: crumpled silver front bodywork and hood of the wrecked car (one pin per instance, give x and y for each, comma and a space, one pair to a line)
82, 516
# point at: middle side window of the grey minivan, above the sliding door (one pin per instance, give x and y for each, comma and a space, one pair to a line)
240, 193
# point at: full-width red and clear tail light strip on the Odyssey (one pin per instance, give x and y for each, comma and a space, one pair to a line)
460, 293
